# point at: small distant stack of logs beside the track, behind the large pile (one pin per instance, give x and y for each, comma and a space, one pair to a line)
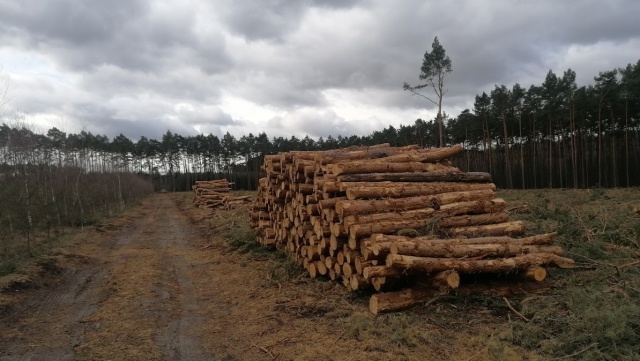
216, 194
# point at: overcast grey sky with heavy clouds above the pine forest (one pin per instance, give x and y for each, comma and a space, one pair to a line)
286, 67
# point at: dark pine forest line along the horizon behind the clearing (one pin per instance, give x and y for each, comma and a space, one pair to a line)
554, 134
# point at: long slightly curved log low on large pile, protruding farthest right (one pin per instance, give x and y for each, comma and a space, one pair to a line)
431, 265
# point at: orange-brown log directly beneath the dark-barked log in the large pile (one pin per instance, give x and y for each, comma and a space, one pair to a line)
392, 190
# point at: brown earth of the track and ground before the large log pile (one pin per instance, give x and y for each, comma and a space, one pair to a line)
160, 284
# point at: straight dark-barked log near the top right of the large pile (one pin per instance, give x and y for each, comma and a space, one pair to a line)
471, 177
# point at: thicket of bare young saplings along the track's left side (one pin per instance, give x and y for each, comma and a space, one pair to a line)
54, 182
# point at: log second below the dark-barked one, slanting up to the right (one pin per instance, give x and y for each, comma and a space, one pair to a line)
346, 208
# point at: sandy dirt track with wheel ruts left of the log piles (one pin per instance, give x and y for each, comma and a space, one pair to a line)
126, 296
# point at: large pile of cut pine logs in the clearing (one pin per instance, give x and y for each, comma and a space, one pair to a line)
394, 218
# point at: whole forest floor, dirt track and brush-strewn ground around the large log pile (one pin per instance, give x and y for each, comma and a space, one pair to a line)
166, 281
